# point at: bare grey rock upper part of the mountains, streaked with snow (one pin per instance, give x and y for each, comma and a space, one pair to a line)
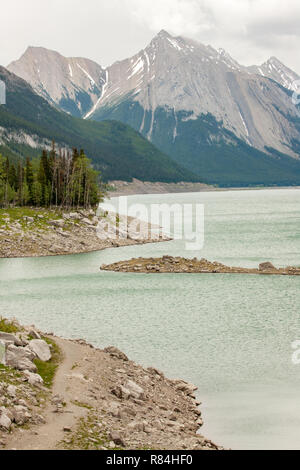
179, 76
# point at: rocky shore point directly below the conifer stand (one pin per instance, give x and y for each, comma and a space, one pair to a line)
54, 232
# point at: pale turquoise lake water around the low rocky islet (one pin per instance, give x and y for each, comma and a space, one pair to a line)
231, 335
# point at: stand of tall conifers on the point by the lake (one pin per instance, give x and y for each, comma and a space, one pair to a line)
54, 179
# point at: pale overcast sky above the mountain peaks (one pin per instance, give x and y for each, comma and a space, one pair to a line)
109, 30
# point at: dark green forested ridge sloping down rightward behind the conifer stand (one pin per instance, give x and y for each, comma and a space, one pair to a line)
28, 123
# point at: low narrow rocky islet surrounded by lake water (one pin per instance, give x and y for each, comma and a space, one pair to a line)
170, 264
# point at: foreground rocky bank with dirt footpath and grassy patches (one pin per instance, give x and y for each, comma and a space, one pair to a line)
98, 399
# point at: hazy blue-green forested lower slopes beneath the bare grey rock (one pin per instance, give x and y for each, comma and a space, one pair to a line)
203, 146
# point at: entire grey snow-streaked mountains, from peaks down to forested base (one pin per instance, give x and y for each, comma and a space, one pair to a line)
223, 122
